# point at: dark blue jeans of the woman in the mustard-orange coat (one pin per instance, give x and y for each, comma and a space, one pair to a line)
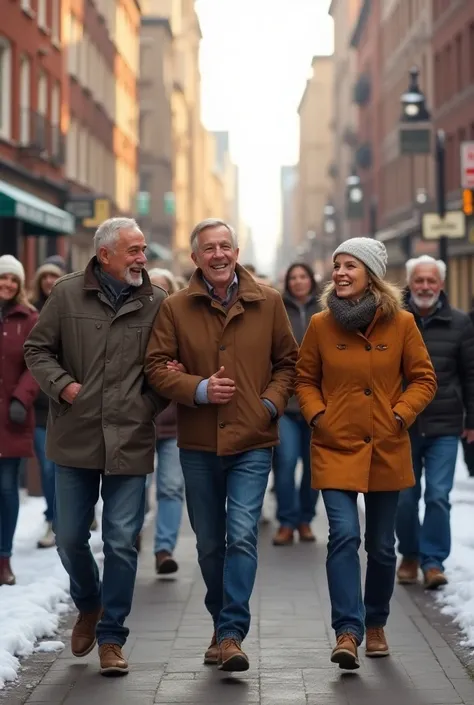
350, 612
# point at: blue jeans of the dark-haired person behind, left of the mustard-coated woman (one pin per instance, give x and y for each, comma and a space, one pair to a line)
294, 507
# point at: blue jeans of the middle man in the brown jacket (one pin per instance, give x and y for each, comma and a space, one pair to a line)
228, 566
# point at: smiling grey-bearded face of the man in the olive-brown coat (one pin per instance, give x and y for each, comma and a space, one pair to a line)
126, 259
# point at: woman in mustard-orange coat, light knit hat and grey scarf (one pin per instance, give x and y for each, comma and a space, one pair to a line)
363, 375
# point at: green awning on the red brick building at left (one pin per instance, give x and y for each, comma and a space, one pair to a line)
16, 203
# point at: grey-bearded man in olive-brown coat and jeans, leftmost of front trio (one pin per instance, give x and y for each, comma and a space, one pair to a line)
87, 353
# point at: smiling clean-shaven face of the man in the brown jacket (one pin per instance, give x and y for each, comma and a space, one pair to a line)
216, 256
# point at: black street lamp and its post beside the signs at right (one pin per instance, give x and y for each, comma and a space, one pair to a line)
415, 138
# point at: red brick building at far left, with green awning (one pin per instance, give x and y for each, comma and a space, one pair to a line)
33, 91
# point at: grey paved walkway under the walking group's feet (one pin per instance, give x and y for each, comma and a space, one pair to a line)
288, 646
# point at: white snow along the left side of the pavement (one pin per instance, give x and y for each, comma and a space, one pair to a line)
31, 610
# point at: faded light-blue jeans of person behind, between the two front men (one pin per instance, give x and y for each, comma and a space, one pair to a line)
169, 495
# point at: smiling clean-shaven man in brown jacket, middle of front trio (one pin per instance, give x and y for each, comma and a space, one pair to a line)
237, 359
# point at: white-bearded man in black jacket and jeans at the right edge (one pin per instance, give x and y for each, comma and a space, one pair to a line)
449, 337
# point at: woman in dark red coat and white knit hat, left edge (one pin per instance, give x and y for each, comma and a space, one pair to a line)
18, 391
